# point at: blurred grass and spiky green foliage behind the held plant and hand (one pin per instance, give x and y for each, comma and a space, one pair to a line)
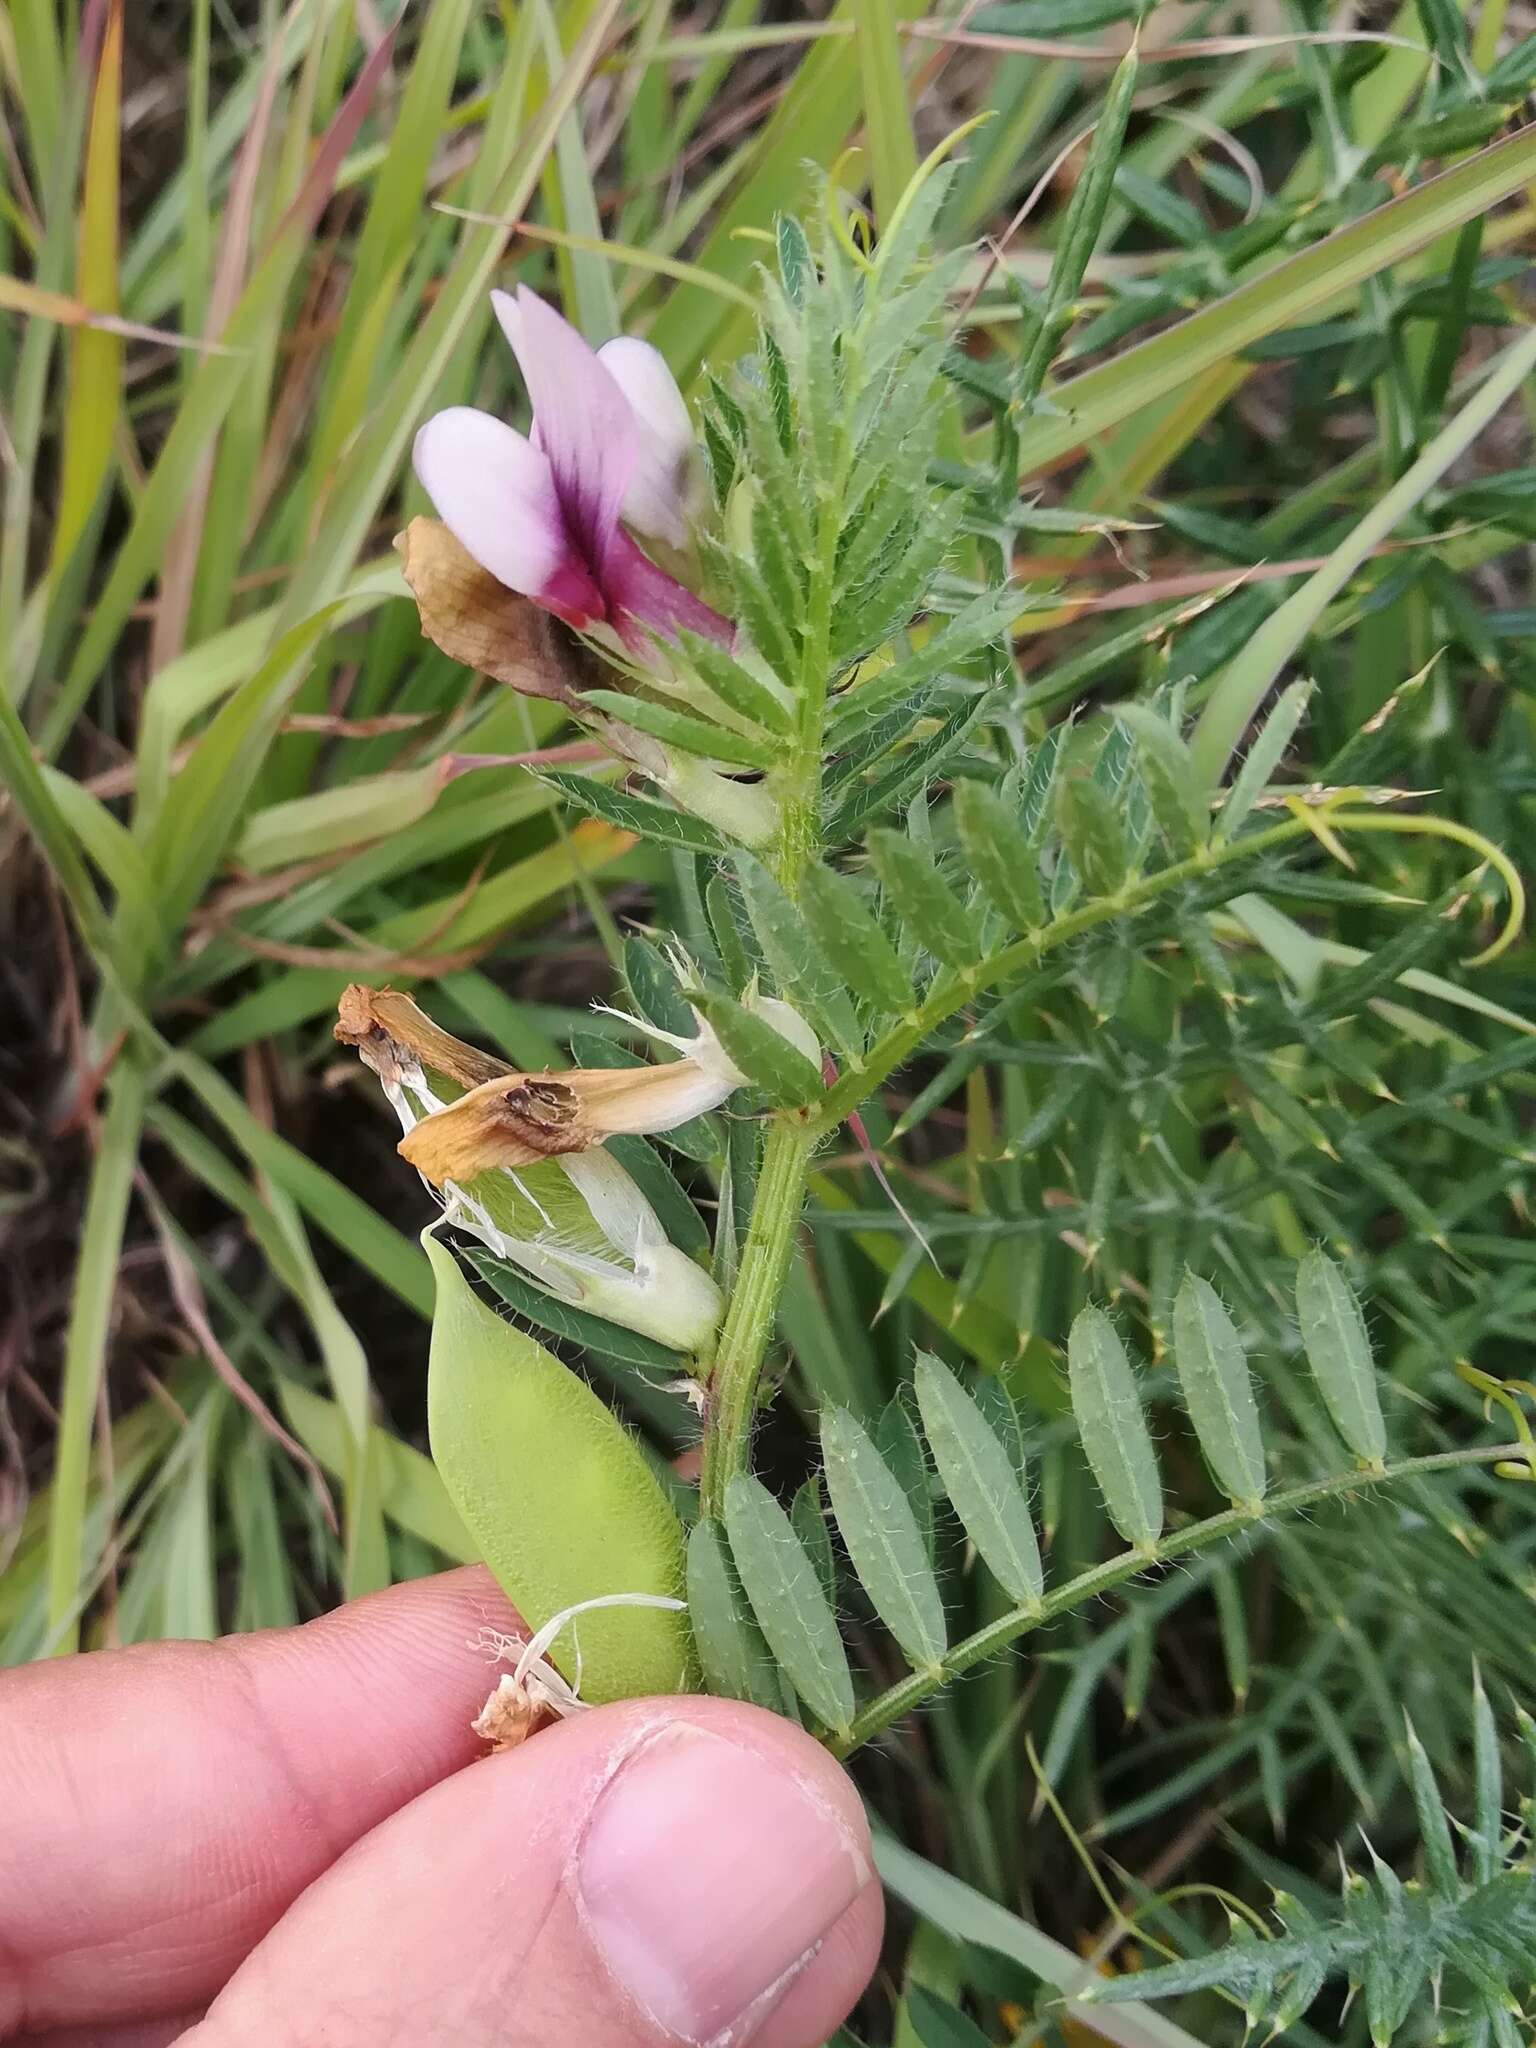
245, 251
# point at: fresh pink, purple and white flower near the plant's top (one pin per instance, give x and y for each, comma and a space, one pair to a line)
550, 515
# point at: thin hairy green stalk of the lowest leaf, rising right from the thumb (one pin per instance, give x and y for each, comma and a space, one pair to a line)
919, 1687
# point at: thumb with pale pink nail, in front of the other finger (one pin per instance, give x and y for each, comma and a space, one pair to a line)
642, 1877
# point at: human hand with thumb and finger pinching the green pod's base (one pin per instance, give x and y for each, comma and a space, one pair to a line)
278, 1840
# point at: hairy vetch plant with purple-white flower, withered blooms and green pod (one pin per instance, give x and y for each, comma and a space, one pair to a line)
912, 859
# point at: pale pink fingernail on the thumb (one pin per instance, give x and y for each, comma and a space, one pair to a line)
708, 1877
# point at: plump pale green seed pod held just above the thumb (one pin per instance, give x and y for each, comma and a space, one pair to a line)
556, 1494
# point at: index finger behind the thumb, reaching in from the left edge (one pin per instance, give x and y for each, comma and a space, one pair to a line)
167, 1803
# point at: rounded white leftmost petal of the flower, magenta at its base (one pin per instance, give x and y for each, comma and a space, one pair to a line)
497, 497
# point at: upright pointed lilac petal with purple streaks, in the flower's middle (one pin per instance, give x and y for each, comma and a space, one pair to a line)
587, 429
